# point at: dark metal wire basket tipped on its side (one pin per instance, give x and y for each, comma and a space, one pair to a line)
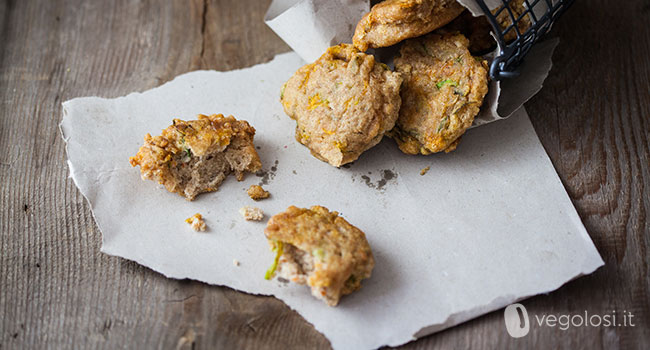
541, 14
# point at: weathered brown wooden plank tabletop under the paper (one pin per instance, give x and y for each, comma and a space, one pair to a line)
58, 290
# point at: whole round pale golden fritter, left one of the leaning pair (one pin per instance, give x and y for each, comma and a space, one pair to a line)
342, 104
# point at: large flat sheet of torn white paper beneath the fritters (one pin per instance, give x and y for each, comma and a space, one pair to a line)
489, 224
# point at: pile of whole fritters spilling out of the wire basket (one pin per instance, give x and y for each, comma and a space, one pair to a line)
345, 102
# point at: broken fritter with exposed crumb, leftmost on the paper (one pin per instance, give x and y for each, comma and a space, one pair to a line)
192, 157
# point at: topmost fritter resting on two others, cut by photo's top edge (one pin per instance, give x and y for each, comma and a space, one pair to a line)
392, 21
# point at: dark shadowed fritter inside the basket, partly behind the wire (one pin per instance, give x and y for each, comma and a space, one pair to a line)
477, 29
